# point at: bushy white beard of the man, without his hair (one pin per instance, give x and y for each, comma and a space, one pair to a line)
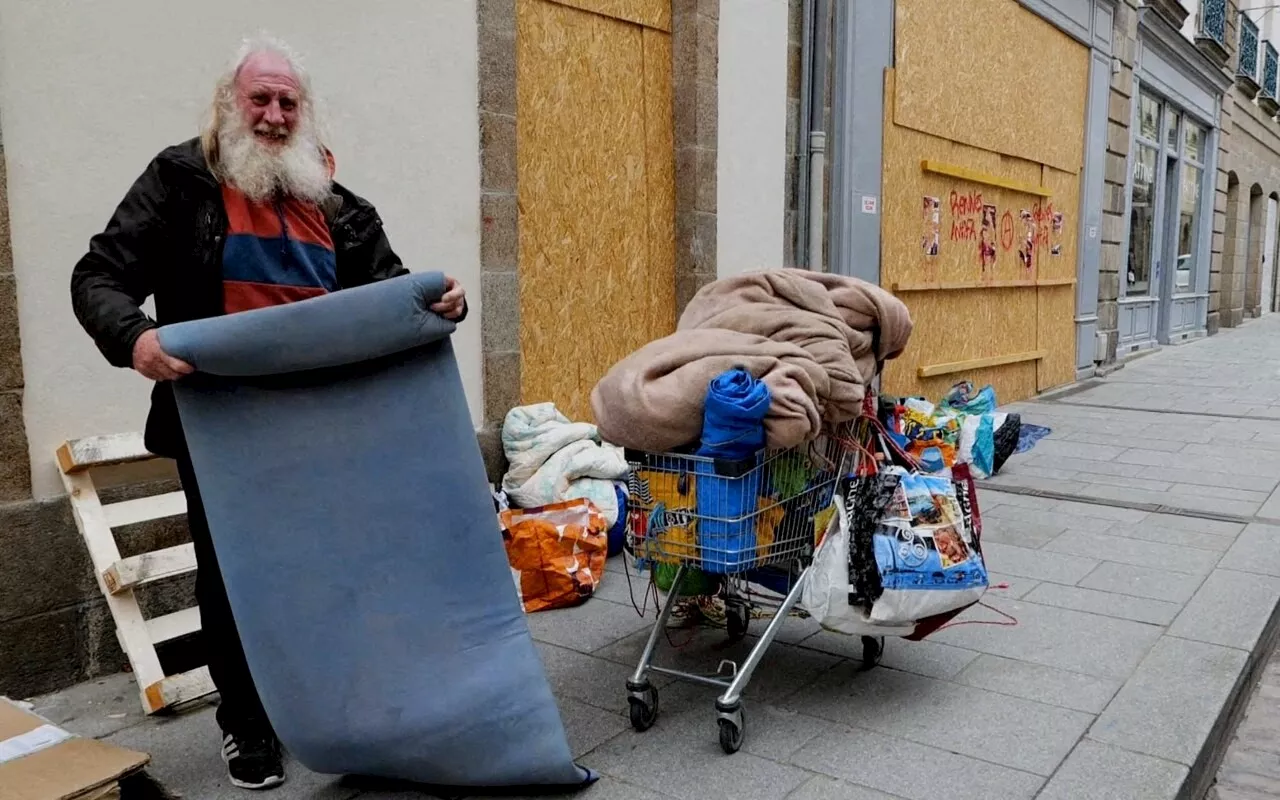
299, 170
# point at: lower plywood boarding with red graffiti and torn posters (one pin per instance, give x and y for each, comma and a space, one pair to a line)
985, 303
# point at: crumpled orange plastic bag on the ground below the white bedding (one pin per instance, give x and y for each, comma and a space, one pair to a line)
556, 552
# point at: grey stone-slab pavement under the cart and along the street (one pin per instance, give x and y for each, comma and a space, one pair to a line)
1136, 573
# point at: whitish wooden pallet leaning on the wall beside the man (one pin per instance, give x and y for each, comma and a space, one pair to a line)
118, 578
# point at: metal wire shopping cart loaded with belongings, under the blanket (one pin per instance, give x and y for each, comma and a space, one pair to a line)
737, 523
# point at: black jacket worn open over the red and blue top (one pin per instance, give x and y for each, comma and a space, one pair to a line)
166, 241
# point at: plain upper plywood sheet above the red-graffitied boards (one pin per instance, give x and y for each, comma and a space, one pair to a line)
991, 75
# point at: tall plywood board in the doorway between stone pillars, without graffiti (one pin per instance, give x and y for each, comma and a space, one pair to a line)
596, 196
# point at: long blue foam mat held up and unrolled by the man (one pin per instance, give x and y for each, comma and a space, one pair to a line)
349, 506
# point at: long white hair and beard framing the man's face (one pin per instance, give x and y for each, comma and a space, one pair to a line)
235, 157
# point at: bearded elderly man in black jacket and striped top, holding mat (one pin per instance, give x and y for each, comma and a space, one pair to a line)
246, 216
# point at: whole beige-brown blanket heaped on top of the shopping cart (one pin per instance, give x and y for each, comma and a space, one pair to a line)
813, 339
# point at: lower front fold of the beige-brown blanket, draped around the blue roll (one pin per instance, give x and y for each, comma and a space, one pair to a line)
653, 399
